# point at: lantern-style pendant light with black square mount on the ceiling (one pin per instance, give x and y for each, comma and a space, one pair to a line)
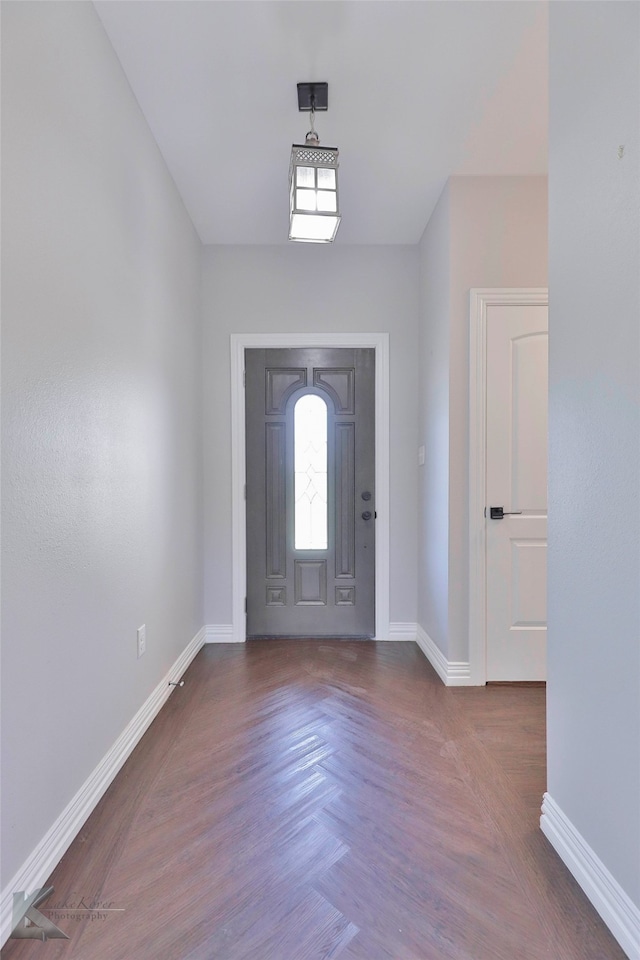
314, 214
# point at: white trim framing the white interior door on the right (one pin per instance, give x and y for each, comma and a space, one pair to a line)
480, 299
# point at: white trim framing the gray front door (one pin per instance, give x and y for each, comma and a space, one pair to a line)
239, 342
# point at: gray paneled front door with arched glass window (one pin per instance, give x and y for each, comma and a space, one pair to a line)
310, 461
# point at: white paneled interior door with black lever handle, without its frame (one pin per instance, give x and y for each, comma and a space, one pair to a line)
516, 482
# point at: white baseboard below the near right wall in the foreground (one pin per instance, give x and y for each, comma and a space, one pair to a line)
617, 910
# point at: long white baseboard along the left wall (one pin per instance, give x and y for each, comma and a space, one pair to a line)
39, 865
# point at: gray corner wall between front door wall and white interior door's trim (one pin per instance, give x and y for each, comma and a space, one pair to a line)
495, 232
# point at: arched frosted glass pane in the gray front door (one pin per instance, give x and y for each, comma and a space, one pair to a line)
310, 465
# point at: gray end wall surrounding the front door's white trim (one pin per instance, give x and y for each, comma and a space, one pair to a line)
307, 288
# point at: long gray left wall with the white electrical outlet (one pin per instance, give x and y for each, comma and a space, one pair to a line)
101, 413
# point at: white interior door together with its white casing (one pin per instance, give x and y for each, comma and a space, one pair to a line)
507, 457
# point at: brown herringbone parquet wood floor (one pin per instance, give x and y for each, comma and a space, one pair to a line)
307, 800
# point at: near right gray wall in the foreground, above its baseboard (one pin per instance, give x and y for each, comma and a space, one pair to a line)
594, 417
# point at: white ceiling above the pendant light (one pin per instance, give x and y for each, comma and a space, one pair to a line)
419, 90
